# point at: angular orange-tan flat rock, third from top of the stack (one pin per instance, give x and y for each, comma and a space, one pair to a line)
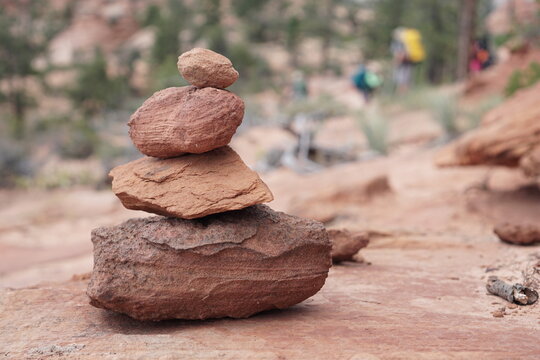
189, 186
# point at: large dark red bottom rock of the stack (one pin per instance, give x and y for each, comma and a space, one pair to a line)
233, 264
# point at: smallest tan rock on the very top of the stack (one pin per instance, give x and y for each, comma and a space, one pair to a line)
205, 68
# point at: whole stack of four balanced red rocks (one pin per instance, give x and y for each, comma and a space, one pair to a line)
215, 251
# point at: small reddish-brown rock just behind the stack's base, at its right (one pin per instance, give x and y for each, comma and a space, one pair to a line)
346, 244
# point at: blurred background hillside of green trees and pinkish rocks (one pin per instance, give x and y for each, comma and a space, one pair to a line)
72, 72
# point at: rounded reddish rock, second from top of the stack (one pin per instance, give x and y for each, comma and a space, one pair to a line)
181, 120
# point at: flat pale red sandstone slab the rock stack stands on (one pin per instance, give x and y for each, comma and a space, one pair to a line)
393, 309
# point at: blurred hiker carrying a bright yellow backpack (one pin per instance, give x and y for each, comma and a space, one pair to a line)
407, 50
